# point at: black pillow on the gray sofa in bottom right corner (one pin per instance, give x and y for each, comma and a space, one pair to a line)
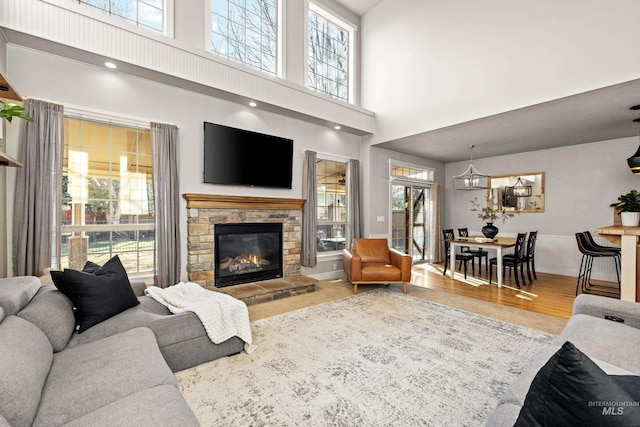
571, 390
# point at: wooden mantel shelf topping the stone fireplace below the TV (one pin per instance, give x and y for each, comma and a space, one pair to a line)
213, 201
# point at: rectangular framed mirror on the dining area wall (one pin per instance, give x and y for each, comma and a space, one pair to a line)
518, 192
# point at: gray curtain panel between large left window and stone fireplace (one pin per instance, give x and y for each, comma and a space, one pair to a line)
166, 190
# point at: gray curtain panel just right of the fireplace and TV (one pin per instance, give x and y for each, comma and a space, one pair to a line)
309, 250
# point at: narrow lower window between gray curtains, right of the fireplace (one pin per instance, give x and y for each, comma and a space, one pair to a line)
332, 205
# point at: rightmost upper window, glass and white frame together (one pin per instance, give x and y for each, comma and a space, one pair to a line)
330, 54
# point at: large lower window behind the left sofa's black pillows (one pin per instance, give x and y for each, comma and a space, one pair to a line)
107, 195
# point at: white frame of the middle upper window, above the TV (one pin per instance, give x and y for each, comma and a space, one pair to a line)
279, 42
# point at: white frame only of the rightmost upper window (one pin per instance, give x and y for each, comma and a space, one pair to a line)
352, 29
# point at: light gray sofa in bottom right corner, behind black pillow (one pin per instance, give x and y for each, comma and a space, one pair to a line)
613, 345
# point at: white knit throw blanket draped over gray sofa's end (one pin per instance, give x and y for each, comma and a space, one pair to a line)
222, 315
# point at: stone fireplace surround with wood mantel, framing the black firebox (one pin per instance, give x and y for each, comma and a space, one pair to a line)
206, 210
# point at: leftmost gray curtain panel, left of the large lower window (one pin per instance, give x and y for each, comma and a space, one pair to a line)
36, 211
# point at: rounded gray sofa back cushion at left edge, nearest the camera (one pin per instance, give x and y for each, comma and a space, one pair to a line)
25, 360
